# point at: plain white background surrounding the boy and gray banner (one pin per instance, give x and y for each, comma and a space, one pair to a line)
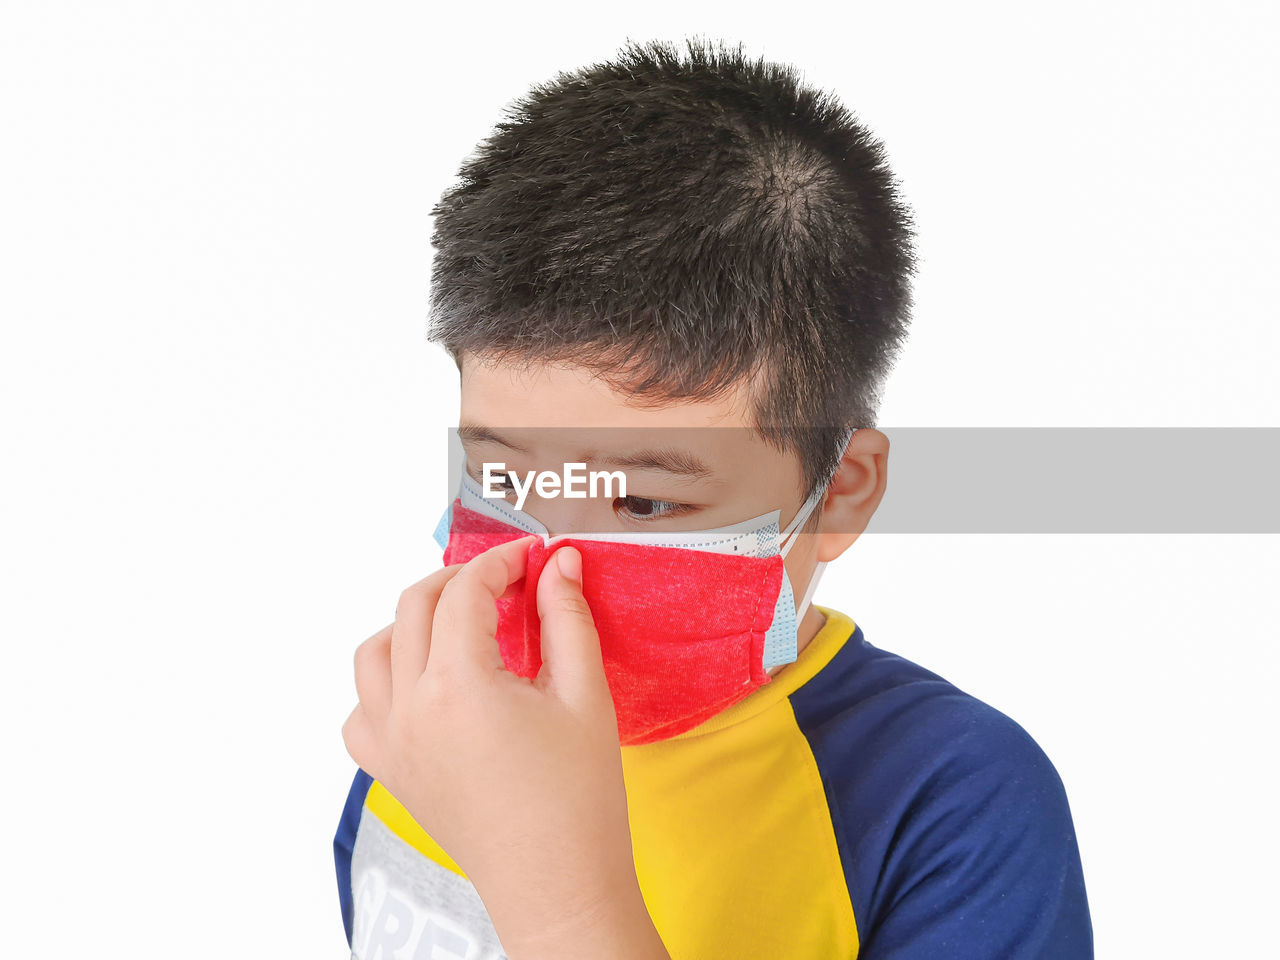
222, 424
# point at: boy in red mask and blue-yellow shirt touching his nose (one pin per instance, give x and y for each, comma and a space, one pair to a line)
632, 734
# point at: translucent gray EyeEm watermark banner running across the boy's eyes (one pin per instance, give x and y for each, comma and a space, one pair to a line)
940, 481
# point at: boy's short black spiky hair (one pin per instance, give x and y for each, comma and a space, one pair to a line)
679, 226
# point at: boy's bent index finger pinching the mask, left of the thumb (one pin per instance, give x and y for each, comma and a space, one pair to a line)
464, 638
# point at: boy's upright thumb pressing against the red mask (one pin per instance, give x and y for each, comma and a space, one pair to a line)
573, 665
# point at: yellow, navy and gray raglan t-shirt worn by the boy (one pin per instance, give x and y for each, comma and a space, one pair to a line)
857, 806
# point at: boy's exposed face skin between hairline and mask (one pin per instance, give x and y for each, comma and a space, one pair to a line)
689, 465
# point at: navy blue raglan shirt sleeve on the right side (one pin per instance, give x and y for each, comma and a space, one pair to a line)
953, 822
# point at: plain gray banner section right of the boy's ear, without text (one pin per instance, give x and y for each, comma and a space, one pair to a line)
1082, 481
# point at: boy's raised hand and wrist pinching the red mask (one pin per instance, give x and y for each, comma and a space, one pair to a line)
520, 781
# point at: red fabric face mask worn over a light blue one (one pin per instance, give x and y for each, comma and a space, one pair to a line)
682, 630
